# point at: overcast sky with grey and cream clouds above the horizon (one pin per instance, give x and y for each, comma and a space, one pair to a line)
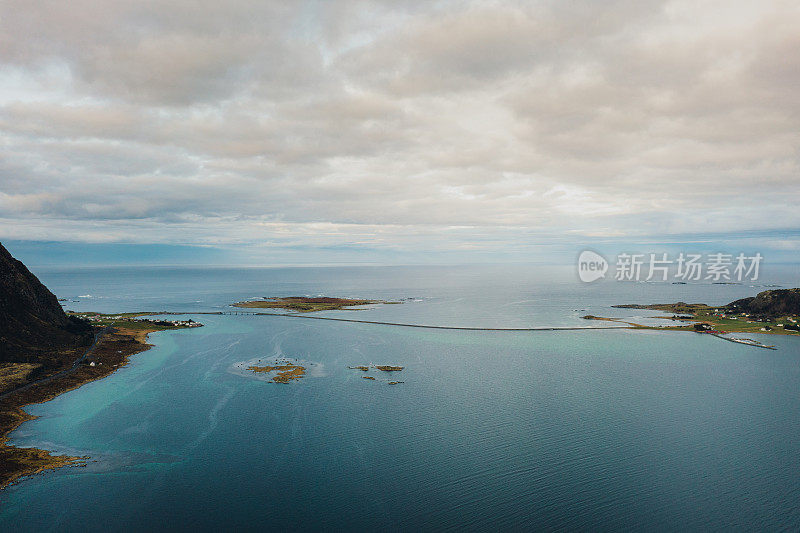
397, 132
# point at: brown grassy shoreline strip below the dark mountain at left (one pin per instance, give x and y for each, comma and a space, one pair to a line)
111, 352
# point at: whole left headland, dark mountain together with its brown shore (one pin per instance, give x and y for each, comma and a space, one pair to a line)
45, 352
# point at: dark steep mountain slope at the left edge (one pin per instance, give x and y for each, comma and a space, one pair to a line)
33, 326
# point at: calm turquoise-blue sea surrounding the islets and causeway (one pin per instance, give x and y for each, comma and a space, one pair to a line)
578, 430
